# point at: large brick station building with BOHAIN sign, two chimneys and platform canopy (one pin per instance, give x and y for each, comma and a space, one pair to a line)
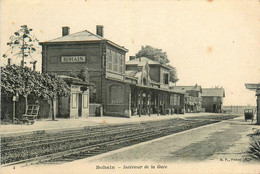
139, 86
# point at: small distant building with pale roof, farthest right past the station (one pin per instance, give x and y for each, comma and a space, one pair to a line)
212, 99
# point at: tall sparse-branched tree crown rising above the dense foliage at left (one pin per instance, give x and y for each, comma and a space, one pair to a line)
22, 44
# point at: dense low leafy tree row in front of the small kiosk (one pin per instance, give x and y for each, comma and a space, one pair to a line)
17, 80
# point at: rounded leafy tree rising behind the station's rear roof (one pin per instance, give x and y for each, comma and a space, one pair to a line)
159, 56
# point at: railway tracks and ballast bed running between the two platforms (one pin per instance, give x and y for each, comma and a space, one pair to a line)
71, 145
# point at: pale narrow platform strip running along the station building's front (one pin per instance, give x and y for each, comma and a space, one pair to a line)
77, 123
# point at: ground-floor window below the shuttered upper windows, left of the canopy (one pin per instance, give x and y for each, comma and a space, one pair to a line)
116, 94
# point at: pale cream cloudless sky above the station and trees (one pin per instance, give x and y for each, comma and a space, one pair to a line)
211, 43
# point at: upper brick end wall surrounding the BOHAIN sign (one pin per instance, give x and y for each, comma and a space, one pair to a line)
52, 58
